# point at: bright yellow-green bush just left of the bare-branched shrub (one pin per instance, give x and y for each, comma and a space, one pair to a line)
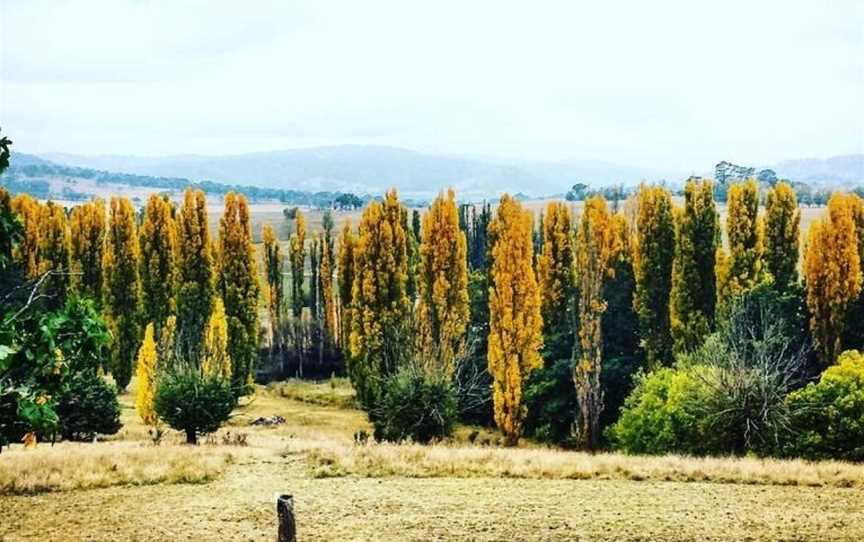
662, 415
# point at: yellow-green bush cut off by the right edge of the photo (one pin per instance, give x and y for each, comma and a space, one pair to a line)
828, 416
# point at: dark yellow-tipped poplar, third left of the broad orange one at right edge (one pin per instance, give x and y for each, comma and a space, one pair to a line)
694, 280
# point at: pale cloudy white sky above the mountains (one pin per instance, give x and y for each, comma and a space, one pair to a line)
666, 84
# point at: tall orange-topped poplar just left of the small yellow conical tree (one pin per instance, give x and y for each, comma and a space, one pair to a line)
122, 289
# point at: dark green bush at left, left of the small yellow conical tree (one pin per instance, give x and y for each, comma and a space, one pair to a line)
88, 408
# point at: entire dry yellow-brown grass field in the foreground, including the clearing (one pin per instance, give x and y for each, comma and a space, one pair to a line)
127, 488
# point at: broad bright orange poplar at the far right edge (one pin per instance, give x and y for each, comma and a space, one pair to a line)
832, 269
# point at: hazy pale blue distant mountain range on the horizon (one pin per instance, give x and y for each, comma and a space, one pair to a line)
372, 169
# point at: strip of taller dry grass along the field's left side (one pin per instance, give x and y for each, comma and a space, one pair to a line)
69, 466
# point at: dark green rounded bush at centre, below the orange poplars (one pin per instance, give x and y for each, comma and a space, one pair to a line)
416, 406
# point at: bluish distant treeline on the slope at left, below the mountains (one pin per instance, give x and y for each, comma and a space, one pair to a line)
32, 179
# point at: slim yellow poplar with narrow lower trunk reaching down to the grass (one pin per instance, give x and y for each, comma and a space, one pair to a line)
597, 245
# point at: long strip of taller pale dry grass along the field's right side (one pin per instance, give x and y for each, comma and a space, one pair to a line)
332, 459
